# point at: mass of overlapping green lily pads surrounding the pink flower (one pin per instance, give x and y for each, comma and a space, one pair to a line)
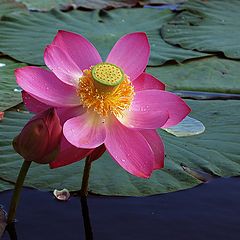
194, 49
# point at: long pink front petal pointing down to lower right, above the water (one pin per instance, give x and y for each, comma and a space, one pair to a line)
129, 149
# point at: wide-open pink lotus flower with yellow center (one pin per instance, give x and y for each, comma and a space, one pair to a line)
112, 104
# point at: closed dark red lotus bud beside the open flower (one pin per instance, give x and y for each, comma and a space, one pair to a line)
39, 140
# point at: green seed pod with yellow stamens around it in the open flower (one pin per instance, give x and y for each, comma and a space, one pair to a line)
105, 89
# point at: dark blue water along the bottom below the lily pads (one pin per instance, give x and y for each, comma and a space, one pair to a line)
208, 212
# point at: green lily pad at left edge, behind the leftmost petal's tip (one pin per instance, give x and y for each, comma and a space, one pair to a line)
10, 94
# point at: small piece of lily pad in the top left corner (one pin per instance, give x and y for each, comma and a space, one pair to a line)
10, 6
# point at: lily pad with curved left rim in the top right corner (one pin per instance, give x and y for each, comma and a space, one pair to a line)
209, 26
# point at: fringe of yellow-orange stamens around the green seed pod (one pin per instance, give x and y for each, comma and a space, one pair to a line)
112, 101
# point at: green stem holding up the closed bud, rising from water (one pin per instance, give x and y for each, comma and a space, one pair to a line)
16, 194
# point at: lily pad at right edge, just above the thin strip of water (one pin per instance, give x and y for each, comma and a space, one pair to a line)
208, 74
